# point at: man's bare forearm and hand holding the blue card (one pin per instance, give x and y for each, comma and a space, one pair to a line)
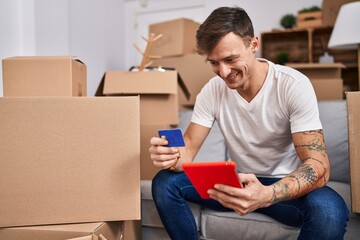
165, 157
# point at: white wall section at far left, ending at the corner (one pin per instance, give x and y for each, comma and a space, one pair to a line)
91, 30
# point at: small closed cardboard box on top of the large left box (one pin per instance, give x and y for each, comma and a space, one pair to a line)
43, 76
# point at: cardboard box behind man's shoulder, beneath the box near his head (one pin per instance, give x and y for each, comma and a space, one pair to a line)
193, 70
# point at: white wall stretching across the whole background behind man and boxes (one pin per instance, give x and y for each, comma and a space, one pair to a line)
95, 30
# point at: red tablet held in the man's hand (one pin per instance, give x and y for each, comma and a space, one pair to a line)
204, 175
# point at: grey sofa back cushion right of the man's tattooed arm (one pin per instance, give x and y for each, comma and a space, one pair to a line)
333, 115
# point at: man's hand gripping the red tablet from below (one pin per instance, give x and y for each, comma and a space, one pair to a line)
243, 200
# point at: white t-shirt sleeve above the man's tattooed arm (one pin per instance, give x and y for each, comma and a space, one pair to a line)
303, 107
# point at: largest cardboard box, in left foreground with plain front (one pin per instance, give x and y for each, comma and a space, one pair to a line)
69, 160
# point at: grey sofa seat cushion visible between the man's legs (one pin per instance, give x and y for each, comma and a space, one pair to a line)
230, 225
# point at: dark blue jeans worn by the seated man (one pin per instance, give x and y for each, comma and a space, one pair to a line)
321, 214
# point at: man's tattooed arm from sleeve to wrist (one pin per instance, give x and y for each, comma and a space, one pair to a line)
314, 171
